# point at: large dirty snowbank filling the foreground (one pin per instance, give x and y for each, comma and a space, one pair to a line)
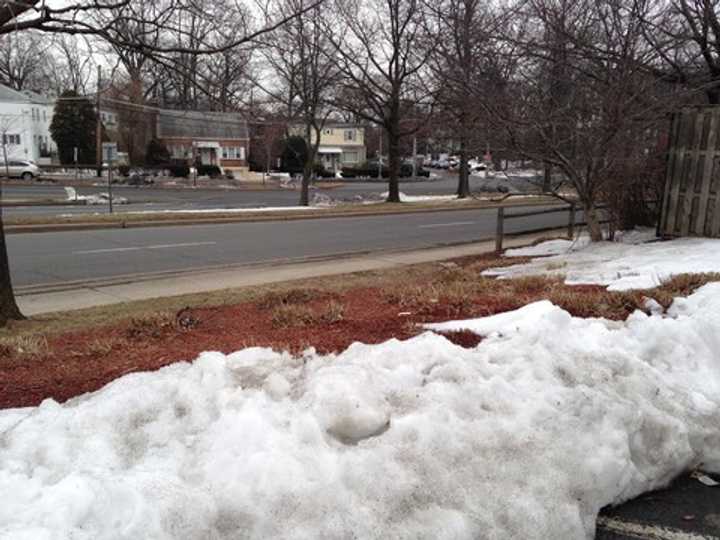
526, 436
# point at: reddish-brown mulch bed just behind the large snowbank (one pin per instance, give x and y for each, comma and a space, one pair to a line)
76, 366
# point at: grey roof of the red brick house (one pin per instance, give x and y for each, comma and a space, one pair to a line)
201, 125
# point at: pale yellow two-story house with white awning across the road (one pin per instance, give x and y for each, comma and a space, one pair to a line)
341, 144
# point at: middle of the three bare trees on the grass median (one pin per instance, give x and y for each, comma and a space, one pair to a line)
381, 62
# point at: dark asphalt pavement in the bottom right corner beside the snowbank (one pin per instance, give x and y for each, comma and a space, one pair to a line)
687, 510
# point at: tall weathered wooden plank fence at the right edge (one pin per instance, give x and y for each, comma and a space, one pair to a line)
691, 205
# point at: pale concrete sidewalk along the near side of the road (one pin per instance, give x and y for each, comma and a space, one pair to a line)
77, 295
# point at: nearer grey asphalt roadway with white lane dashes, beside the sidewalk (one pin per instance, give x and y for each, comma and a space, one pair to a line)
49, 258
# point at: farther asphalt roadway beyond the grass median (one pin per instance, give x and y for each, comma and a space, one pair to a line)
158, 199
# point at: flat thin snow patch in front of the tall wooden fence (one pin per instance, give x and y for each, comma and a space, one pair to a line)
623, 265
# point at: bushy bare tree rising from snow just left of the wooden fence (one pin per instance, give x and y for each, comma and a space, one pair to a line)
597, 100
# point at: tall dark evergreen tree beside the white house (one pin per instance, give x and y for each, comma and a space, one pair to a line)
74, 125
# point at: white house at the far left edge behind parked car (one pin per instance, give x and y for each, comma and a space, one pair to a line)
25, 125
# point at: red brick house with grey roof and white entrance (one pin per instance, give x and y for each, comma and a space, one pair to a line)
212, 138
